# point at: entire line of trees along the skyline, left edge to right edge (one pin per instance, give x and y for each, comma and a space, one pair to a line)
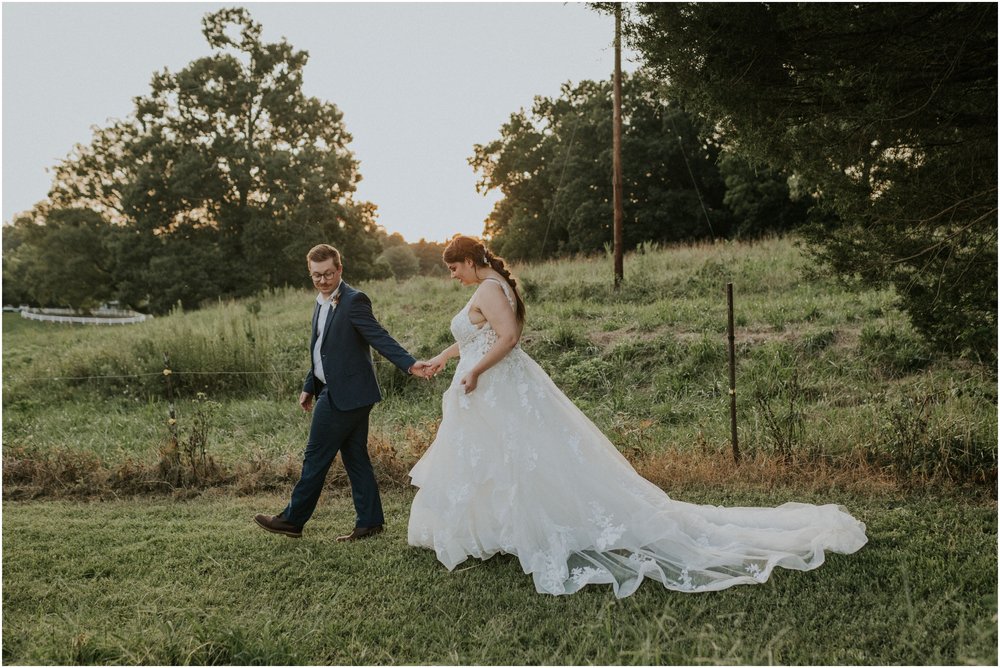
871, 128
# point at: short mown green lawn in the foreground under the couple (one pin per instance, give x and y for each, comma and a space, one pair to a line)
162, 581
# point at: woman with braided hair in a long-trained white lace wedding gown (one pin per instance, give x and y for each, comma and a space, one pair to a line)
517, 468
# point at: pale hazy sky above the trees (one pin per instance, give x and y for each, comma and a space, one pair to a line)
418, 83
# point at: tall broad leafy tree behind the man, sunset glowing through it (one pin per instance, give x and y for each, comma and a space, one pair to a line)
223, 178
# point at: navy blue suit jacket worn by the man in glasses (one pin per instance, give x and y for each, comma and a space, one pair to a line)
351, 332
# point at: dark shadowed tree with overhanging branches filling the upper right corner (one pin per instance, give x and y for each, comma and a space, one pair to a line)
886, 112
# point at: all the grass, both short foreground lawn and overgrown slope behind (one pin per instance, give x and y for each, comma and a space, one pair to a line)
119, 549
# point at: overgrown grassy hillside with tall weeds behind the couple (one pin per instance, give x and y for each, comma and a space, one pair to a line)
827, 378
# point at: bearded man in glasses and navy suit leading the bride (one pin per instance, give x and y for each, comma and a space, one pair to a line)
342, 381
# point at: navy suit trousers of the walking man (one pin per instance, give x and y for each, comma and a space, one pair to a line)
336, 431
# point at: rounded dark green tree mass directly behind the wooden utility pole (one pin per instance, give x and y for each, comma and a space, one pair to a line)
553, 167
